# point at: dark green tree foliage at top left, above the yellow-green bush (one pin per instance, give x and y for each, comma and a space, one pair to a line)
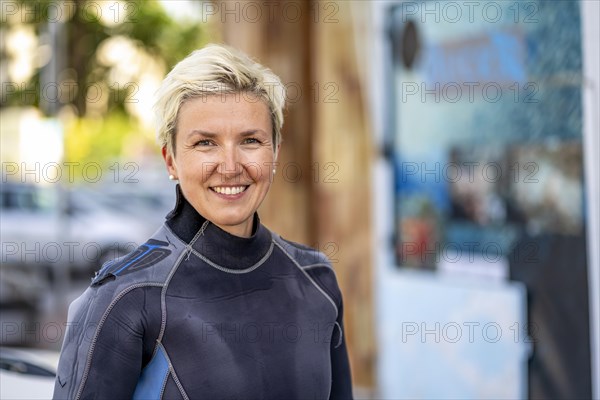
143, 21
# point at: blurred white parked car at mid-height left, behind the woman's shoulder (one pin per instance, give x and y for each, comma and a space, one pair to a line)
51, 228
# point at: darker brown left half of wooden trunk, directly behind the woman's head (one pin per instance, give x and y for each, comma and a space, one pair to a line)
282, 44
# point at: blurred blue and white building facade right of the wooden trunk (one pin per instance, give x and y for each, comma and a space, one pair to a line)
501, 267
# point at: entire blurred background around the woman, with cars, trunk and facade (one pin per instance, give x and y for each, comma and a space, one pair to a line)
444, 155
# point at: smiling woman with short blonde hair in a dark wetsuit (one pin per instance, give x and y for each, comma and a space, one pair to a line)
214, 305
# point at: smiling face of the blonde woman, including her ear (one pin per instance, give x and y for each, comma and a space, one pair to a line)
224, 158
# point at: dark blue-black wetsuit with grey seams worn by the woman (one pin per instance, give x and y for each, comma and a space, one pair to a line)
196, 313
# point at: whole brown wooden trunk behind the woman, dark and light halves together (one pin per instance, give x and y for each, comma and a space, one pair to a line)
321, 194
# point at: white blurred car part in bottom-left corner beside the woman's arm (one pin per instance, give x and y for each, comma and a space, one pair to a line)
27, 373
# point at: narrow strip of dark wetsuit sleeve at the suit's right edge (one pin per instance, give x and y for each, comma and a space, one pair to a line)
341, 384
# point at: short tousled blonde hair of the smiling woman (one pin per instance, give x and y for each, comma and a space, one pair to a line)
216, 70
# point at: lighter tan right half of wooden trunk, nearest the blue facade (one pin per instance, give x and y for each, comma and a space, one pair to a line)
343, 151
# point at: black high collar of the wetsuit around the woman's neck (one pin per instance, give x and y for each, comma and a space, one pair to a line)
218, 246
